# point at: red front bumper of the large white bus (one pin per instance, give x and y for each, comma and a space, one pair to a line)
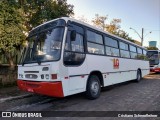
45, 88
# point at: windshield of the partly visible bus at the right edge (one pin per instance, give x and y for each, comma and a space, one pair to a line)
153, 57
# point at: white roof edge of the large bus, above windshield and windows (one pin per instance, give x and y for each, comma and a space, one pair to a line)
90, 26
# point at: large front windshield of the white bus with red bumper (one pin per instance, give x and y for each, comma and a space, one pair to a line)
43, 46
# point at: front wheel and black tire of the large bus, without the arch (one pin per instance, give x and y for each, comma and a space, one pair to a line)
93, 87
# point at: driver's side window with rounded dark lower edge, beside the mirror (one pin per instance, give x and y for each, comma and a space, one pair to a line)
74, 50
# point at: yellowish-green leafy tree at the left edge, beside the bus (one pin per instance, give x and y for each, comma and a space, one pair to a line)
11, 27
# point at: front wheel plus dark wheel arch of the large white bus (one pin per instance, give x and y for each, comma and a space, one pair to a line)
93, 86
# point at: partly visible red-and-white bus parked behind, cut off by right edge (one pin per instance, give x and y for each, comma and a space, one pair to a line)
154, 60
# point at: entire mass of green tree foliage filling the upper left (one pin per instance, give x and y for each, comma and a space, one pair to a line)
17, 17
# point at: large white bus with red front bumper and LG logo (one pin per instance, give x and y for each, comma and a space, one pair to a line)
64, 56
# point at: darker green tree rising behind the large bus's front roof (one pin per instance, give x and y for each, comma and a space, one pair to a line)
40, 11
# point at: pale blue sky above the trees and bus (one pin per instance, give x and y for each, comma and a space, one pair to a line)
137, 14
